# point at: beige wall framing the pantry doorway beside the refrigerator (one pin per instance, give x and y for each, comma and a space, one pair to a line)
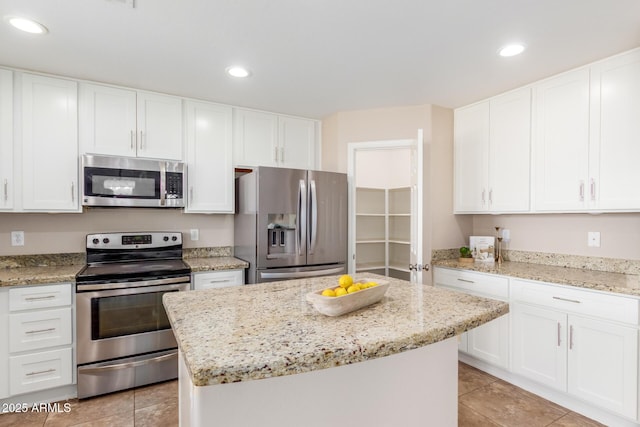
442, 229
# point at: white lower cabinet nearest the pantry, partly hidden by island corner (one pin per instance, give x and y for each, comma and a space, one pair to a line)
488, 342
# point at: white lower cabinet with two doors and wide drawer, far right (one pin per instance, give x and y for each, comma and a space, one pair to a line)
561, 343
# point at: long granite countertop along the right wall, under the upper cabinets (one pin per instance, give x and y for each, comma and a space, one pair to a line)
627, 284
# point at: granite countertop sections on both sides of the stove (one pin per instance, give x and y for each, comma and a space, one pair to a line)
37, 275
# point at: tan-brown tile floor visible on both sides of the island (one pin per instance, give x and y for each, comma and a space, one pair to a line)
484, 401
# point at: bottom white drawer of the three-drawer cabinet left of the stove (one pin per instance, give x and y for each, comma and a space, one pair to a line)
39, 371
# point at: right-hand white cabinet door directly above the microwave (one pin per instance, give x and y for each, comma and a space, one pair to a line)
159, 126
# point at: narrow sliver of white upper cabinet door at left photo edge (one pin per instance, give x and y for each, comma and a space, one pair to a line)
6, 139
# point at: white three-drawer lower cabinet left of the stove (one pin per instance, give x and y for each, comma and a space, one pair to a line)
39, 340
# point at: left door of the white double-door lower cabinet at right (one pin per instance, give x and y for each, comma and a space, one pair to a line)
539, 347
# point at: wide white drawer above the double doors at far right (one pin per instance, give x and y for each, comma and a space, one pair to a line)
594, 304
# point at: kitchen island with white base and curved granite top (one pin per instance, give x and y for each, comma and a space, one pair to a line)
261, 355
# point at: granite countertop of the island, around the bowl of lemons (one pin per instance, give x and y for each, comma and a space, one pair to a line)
266, 330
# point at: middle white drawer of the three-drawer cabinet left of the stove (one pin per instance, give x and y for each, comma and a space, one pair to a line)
39, 329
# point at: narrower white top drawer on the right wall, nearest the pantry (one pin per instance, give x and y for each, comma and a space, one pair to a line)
486, 285
